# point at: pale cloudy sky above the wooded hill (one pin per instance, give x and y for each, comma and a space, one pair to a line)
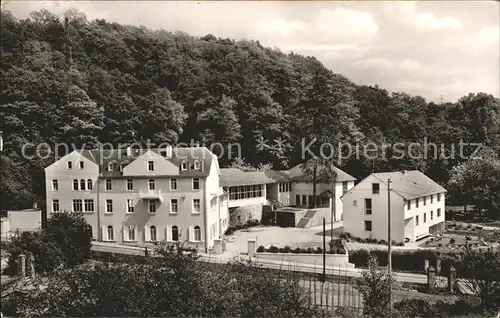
441, 50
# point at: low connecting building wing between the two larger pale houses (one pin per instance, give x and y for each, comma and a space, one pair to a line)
250, 191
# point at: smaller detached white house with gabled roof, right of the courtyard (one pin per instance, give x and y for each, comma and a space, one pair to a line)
417, 206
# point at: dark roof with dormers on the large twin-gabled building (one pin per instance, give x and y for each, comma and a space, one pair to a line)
118, 157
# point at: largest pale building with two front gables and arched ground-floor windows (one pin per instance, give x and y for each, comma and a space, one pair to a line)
137, 197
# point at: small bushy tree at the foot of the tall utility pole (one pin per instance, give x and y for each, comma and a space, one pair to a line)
375, 286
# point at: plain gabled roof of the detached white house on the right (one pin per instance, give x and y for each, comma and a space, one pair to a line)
410, 184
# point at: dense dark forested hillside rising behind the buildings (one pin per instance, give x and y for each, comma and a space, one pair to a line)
77, 81
